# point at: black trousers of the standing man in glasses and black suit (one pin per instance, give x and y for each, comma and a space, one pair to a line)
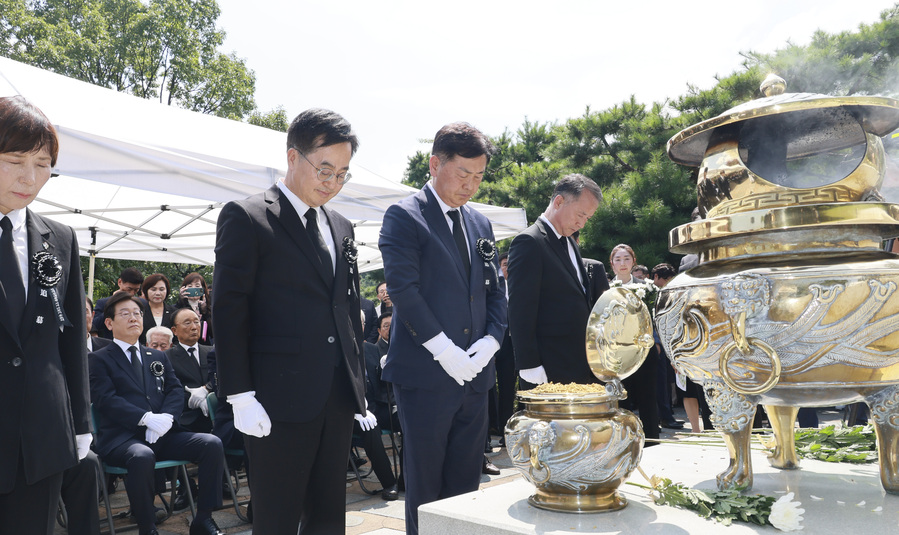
299, 469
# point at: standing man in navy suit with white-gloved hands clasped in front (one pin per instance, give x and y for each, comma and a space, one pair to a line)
448, 318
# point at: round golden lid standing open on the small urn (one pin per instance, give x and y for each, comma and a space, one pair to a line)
619, 334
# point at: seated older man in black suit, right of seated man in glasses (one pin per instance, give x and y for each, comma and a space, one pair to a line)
189, 358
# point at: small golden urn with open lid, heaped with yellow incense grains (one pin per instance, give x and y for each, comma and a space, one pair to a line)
572, 441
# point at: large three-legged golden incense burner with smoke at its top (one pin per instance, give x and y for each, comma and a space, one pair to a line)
794, 301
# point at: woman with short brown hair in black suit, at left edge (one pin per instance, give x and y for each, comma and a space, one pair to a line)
45, 421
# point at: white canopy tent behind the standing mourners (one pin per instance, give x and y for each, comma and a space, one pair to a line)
144, 181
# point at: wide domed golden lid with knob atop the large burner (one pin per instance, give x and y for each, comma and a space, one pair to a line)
798, 112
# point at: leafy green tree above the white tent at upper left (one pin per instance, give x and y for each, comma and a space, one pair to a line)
160, 49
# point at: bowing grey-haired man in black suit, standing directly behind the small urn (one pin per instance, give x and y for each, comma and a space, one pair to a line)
549, 301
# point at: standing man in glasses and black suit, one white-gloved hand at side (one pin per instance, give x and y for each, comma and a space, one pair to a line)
289, 331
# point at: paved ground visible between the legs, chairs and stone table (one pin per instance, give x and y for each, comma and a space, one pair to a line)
366, 514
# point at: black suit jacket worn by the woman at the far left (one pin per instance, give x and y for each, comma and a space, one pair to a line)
44, 382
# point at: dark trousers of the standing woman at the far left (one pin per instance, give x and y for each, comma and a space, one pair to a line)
28, 508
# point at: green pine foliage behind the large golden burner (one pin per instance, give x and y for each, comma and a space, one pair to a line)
623, 148
